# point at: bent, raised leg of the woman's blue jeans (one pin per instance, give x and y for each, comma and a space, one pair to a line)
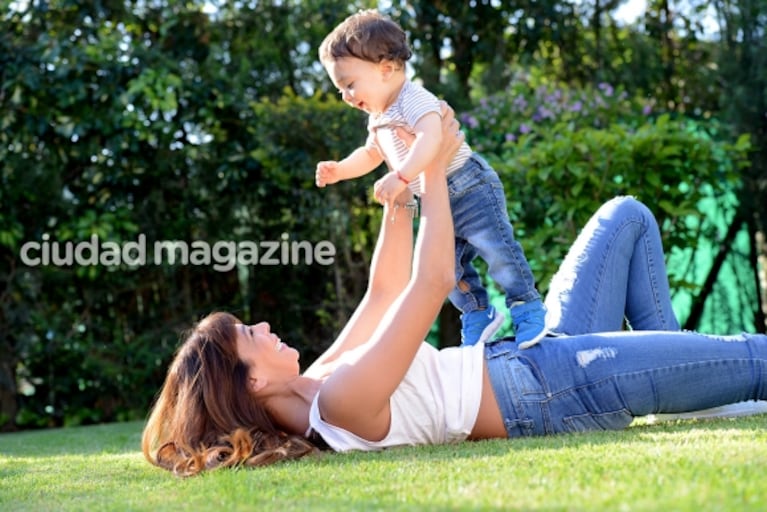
614, 270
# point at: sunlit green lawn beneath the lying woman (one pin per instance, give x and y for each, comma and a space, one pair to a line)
684, 465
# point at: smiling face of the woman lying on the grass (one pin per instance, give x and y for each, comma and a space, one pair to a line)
264, 353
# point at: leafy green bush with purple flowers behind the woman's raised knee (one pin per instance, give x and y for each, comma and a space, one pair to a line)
562, 152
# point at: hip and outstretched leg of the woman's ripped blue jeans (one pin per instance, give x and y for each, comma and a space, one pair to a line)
601, 381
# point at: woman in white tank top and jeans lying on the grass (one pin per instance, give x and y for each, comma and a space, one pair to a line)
234, 394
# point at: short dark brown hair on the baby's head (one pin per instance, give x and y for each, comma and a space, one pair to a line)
367, 35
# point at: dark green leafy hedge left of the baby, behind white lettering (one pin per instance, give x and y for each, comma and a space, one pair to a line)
159, 122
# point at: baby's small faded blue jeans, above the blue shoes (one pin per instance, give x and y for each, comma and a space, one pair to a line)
482, 227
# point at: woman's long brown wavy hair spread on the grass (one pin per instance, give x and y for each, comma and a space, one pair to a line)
204, 416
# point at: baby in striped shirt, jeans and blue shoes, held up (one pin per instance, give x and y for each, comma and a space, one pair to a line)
365, 58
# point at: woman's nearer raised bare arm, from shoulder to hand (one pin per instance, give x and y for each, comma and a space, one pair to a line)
356, 396
